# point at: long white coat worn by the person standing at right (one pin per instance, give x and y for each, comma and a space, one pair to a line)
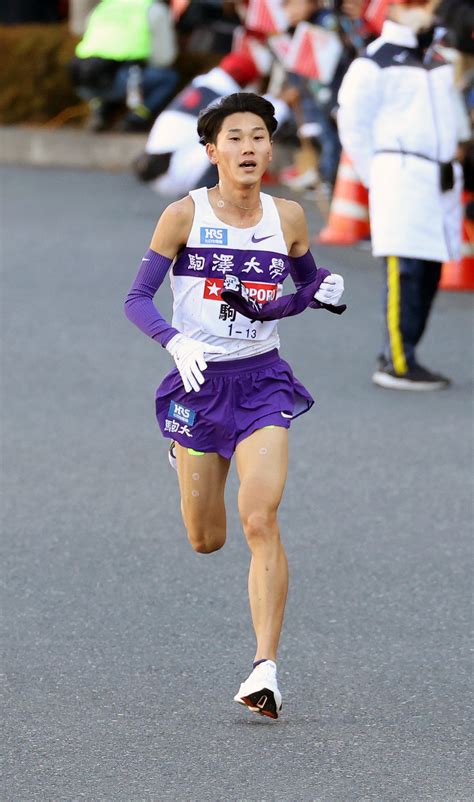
391, 101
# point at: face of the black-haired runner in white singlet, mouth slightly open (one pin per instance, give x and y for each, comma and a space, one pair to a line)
243, 148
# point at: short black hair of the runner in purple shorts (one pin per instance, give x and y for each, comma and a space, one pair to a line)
210, 120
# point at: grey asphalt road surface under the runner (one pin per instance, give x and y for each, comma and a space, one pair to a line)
121, 648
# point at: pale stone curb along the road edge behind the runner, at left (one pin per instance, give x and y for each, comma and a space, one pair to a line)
43, 147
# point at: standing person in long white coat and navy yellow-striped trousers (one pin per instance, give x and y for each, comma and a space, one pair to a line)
398, 124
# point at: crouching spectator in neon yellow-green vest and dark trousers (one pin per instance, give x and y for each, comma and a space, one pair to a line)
125, 57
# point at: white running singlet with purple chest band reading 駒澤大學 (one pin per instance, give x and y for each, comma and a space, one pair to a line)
257, 255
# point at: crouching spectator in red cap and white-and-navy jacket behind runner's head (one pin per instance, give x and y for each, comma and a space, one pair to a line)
174, 158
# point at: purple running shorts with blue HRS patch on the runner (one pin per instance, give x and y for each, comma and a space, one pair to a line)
237, 398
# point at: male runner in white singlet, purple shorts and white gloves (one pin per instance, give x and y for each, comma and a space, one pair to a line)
230, 391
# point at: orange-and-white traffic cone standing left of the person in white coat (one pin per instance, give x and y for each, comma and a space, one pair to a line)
349, 213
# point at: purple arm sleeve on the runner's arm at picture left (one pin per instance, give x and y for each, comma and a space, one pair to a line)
139, 306
